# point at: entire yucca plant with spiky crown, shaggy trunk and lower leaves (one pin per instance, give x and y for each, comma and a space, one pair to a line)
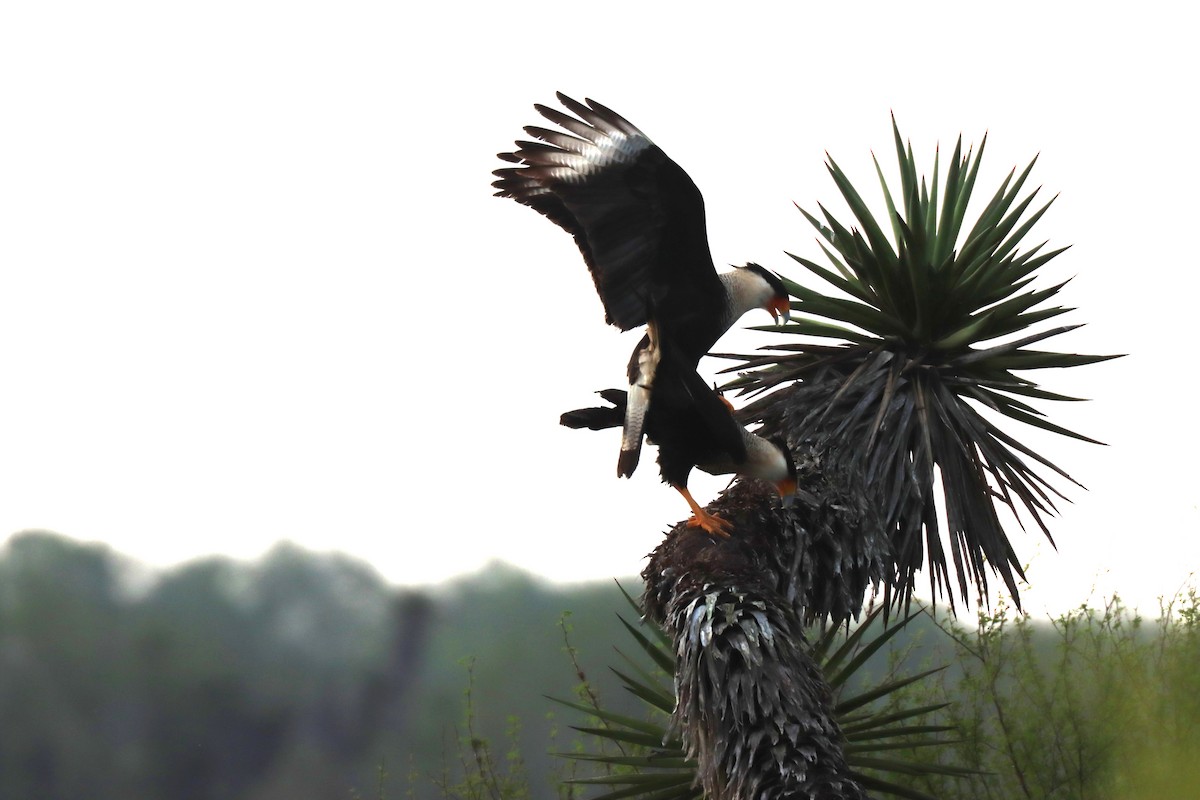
898, 424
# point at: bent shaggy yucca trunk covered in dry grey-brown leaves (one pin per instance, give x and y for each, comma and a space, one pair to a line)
753, 708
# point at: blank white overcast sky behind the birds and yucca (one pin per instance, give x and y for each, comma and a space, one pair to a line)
254, 285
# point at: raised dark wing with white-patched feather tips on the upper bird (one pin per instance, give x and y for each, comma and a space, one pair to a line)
637, 216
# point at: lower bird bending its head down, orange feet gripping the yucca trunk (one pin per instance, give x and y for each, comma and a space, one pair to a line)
694, 428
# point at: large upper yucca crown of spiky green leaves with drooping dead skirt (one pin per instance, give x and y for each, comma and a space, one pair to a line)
928, 369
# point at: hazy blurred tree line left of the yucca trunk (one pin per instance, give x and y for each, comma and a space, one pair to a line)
301, 676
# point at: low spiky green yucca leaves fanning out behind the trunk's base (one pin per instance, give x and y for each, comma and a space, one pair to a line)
646, 760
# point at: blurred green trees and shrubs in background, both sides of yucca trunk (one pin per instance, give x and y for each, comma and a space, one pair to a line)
305, 676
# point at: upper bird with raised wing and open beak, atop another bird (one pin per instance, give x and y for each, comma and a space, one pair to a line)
639, 221
